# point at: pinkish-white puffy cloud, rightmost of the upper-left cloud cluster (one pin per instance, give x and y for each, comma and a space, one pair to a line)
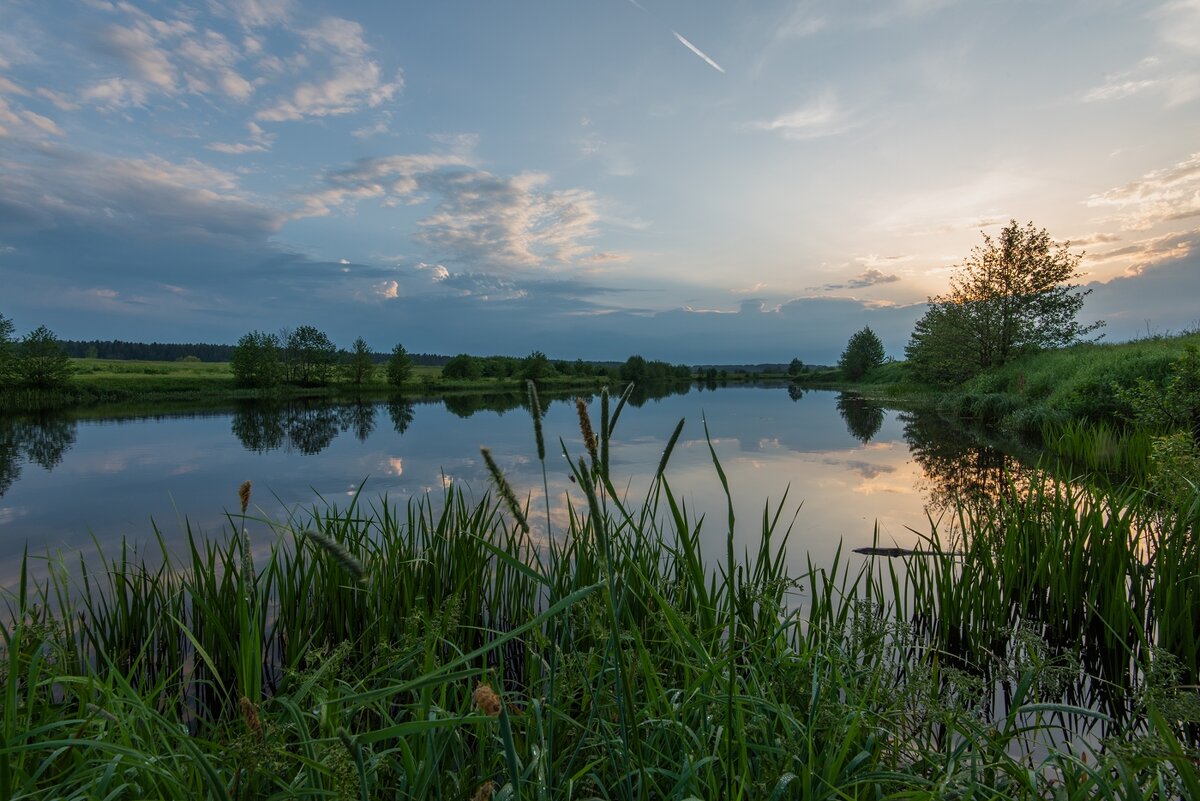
356, 82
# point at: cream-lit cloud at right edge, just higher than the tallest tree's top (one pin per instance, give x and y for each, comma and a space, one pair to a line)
1161, 196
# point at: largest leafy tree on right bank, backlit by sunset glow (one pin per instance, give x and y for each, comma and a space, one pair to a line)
1011, 297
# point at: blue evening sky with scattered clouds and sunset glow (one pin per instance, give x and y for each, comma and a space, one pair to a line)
689, 180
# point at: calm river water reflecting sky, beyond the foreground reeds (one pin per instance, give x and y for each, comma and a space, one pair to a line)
67, 483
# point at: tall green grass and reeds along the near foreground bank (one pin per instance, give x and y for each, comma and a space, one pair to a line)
460, 651
